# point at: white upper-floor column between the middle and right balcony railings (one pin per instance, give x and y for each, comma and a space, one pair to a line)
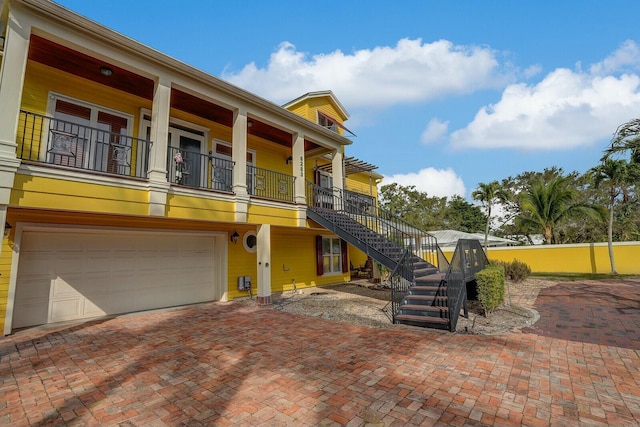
239, 156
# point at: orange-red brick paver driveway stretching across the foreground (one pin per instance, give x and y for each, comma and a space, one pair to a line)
232, 364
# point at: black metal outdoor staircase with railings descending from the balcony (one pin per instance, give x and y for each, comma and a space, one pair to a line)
419, 271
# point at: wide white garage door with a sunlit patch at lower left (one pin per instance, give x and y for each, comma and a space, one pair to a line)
68, 275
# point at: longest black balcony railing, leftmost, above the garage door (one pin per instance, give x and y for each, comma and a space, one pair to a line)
62, 143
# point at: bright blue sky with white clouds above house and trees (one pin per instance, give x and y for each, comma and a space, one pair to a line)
442, 95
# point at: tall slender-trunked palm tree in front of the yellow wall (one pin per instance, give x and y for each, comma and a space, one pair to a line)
618, 175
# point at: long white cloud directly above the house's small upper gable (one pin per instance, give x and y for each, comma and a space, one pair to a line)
411, 71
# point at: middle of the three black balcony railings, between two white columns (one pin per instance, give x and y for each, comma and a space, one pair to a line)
193, 169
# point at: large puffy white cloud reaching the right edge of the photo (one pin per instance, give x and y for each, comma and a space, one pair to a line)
567, 109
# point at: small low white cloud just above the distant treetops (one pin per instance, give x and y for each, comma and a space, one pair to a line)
434, 182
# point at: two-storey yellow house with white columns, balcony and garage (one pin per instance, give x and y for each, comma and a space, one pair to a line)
132, 181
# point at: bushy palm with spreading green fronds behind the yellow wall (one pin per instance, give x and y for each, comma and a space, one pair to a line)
547, 204
